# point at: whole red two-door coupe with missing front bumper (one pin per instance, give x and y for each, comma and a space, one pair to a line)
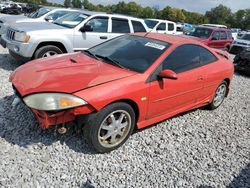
129, 82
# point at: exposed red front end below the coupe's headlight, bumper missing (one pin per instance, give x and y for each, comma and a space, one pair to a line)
48, 119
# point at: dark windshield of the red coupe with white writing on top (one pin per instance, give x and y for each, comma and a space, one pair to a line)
131, 52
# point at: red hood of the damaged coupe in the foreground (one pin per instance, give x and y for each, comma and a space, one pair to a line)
65, 73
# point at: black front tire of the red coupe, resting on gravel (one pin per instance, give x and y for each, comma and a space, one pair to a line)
93, 128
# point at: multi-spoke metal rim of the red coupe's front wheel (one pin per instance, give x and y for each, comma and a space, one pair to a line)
114, 128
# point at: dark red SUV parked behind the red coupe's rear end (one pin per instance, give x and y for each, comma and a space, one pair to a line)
213, 36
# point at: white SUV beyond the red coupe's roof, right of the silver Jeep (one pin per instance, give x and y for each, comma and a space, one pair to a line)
161, 26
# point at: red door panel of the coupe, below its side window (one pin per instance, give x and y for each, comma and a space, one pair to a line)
168, 95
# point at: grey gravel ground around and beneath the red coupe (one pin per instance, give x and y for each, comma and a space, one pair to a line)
197, 149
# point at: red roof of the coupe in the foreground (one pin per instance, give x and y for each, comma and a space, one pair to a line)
173, 39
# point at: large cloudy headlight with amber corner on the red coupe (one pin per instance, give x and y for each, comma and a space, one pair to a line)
53, 101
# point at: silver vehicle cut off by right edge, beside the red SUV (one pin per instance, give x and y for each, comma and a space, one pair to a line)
240, 44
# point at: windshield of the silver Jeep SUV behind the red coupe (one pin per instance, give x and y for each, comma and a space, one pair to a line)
71, 20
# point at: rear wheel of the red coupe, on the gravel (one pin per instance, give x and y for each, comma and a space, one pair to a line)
219, 96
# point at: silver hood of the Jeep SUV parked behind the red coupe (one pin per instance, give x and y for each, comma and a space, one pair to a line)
27, 26
